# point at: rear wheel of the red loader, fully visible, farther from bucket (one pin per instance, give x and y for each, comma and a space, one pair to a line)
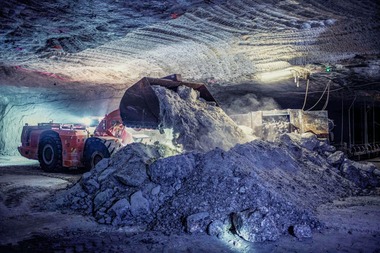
50, 153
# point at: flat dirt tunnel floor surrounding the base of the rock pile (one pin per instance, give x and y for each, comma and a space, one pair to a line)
352, 224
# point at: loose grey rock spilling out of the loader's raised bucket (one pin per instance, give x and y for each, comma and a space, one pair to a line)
197, 125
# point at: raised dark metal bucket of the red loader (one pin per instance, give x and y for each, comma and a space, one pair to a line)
140, 107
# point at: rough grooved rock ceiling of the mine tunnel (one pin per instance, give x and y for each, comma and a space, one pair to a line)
97, 48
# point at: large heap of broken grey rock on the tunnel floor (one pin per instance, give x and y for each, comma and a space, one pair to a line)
258, 190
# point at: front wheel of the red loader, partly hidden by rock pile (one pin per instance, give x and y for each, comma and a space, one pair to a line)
94, 152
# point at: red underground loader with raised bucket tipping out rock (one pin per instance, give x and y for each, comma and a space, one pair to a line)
58, 145
